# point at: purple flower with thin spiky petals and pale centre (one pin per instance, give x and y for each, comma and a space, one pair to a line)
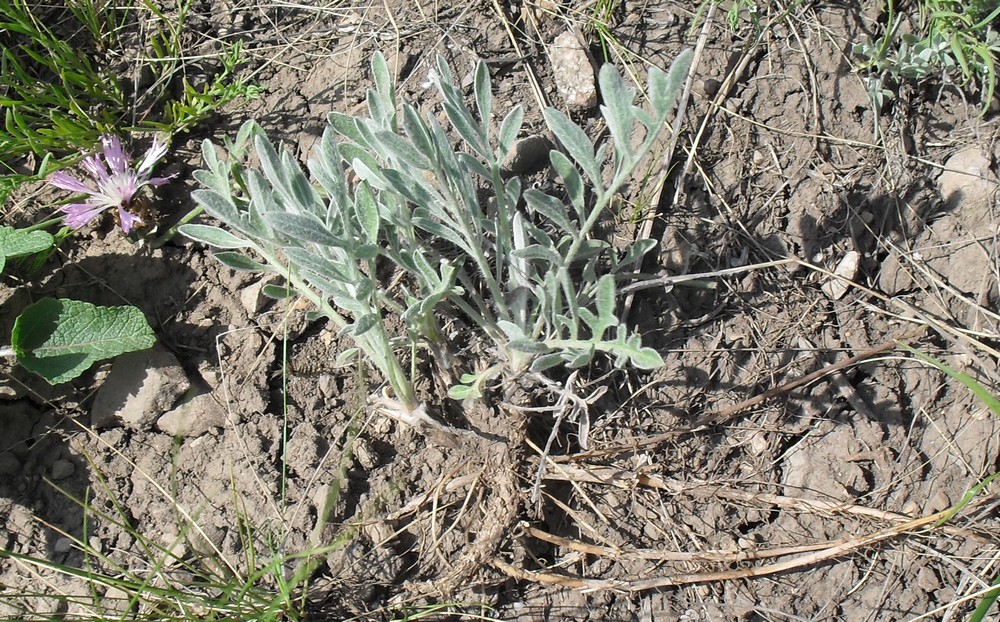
114, 185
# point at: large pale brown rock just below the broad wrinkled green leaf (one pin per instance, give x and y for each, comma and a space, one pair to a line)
140, 388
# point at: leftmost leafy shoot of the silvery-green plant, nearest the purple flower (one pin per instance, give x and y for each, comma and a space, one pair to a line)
323, 241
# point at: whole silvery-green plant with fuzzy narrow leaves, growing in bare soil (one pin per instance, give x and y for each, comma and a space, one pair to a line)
522, 269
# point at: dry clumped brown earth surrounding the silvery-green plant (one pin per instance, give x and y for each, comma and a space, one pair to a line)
688, 502
